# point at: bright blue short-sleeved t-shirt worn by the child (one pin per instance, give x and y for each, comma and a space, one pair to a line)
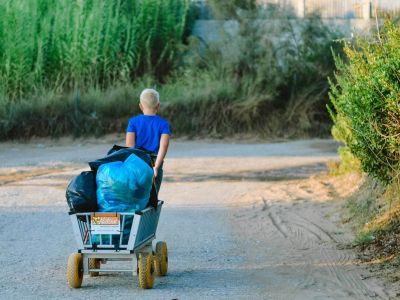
148, 131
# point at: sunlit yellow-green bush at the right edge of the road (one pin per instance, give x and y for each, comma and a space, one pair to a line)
365, 98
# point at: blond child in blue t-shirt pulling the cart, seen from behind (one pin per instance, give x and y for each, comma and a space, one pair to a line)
149, 131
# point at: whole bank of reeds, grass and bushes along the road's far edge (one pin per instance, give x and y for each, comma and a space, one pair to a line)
266, 76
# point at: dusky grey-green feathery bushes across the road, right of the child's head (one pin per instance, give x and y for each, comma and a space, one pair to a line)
270, 70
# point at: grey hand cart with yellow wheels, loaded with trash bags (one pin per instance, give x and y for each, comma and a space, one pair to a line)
103, 237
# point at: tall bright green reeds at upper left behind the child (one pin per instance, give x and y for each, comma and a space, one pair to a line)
63, 45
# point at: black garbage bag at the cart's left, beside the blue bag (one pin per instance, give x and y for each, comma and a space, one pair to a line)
81, 193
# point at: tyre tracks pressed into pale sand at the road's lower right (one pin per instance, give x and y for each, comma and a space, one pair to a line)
333, 270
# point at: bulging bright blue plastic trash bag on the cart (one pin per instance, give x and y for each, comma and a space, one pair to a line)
124, 186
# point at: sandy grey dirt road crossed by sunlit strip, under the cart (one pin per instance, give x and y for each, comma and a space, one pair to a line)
242, 221
